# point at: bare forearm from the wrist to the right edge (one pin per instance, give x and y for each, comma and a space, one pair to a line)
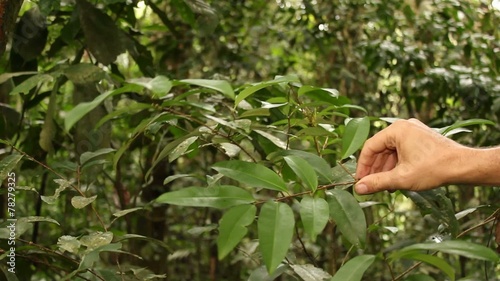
479, 166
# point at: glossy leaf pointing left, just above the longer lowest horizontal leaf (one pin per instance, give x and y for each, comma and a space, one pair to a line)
252, 174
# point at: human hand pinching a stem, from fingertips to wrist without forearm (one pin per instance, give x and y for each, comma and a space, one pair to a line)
406, 155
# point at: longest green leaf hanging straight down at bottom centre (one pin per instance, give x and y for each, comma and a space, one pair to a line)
275, 229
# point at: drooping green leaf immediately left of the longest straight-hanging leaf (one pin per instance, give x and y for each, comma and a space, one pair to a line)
232, 227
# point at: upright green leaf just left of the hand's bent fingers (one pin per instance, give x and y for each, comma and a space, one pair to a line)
356, 132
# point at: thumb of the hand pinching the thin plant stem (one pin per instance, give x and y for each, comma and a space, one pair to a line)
377, 182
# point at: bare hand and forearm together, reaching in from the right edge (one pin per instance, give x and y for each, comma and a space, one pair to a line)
409, 155
